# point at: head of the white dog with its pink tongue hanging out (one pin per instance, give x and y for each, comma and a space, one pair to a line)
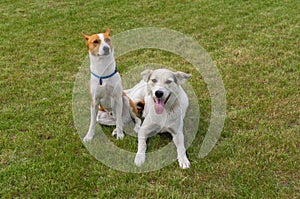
163, 84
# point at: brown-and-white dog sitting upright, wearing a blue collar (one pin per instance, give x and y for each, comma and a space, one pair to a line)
106, 85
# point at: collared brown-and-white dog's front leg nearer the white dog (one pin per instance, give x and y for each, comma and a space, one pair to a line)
117, 110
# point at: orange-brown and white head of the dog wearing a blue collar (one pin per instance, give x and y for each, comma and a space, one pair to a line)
99, 44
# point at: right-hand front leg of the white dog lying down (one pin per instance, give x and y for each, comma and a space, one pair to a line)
178, 139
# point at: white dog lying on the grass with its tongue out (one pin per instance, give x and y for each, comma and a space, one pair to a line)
164, 111
